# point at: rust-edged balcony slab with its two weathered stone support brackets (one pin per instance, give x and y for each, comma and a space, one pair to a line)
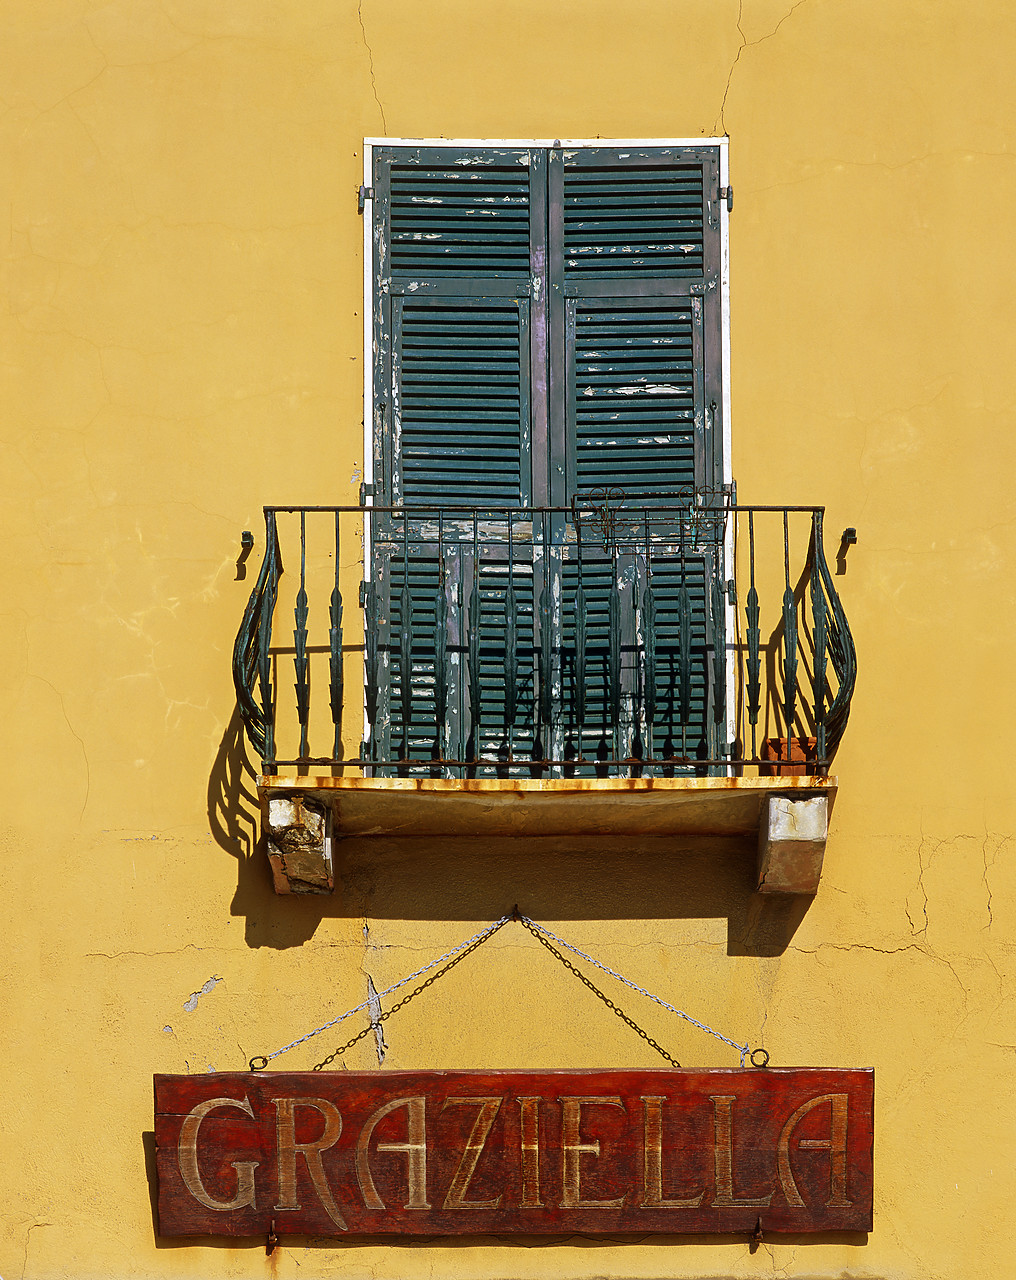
305, 817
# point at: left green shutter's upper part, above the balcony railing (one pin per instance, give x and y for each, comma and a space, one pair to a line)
456, 235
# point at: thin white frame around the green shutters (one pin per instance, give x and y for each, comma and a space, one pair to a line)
372, 427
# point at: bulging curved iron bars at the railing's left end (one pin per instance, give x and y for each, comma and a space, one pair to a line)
251, 652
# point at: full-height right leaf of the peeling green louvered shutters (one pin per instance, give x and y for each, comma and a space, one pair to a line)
635, 259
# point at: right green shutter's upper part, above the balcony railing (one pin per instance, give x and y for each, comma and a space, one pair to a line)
635, 290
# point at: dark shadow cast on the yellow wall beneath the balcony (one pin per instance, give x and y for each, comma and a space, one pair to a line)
480, 879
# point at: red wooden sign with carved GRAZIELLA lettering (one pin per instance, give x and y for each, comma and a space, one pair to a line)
528, 1153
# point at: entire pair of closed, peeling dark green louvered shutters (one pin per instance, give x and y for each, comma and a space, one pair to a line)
547, 326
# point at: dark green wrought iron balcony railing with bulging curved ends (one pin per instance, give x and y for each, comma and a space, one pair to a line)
605, 639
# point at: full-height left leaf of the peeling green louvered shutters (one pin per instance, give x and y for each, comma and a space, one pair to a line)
460, 381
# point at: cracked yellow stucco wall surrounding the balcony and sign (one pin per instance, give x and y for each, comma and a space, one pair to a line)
181, 341
